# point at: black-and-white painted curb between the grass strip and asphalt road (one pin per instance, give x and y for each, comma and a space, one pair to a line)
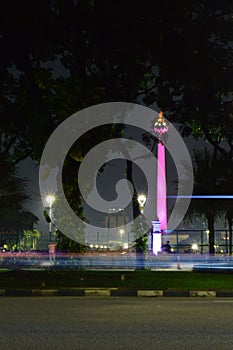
115, 292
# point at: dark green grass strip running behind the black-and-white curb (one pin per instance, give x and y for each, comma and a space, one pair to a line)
133, 279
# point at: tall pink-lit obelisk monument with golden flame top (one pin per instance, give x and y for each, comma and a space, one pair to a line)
161, 129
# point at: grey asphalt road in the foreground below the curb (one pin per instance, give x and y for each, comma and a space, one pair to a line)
70, 323
